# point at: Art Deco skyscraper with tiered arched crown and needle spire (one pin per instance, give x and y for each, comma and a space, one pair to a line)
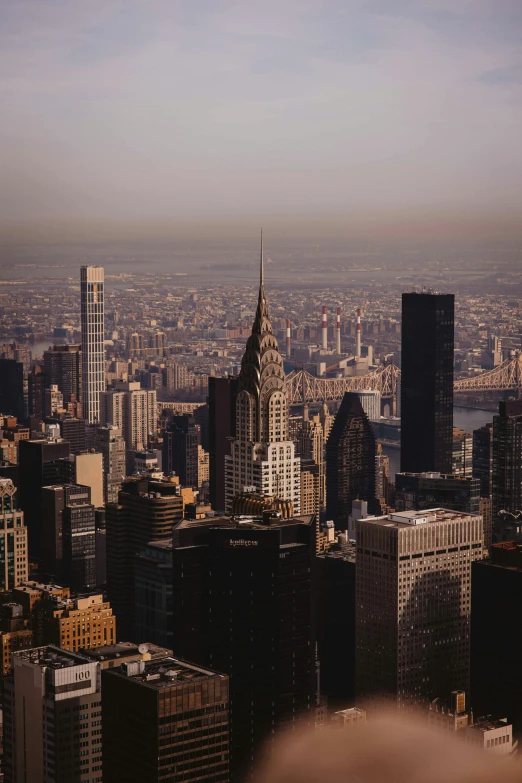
261, 454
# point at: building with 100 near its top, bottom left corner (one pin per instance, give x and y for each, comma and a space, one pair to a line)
52, 701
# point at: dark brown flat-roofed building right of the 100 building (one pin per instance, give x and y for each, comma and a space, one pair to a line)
164, 720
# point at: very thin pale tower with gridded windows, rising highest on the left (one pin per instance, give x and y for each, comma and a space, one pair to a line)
93, 354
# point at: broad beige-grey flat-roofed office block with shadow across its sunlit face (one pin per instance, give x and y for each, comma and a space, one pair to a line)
413, 593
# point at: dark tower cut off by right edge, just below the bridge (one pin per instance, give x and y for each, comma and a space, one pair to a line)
506, 476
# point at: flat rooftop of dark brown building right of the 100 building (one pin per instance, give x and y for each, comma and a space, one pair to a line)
163, 673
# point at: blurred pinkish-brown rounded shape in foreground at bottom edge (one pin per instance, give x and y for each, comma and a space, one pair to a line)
387, 749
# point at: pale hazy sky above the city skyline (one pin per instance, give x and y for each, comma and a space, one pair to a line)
158, 109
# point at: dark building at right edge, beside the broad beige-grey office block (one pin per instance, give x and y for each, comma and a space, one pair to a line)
496, 634
